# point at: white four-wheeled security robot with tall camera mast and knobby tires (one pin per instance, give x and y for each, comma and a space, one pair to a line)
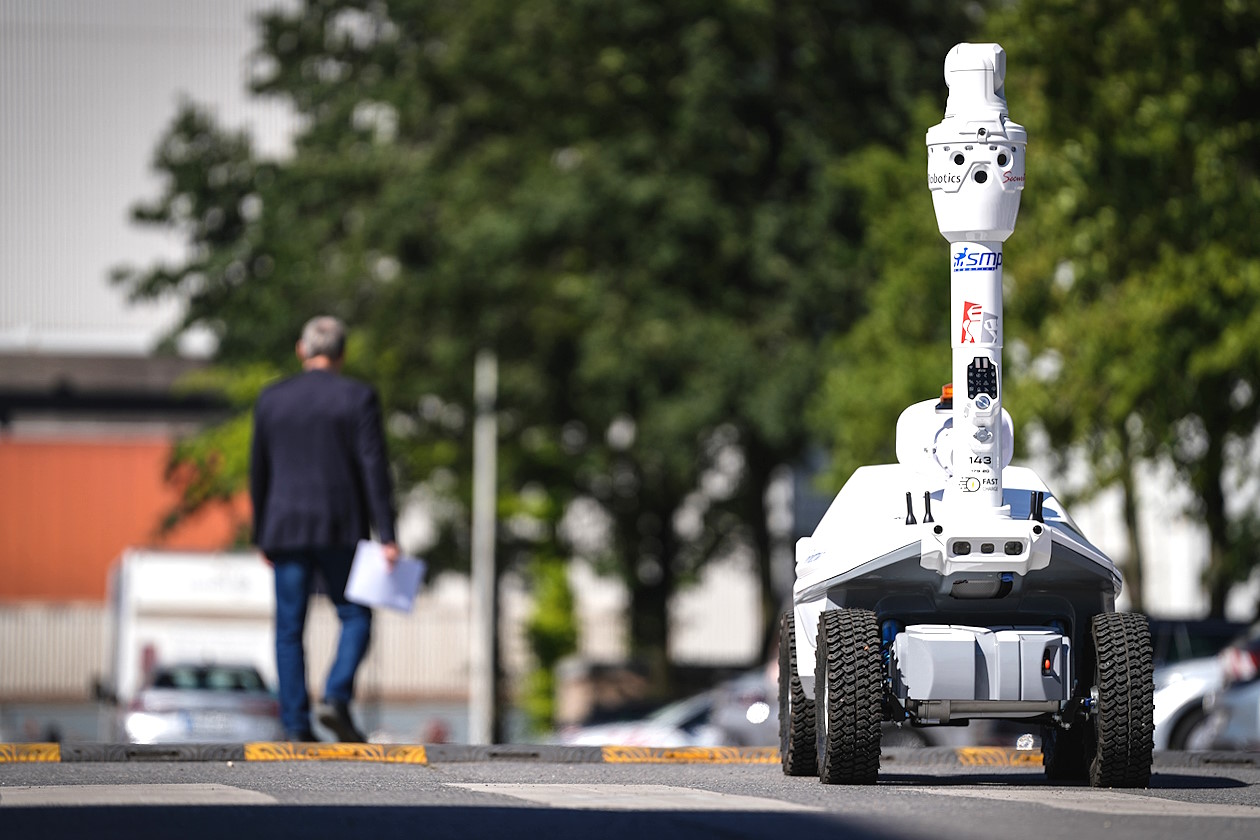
952, 586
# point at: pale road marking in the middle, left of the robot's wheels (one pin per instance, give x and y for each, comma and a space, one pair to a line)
633, 798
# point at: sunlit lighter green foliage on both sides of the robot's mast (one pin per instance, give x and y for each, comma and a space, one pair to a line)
1133, 276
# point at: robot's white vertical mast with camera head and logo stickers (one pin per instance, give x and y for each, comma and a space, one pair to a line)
976, 171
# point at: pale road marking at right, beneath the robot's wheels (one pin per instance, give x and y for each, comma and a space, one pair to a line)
1094, 802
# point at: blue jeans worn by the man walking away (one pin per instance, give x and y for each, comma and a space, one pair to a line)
295, 579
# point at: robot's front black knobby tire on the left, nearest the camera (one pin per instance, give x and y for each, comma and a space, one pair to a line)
849, 697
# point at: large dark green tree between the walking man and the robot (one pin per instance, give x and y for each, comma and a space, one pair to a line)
634, 205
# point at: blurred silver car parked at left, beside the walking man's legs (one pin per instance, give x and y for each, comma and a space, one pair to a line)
190, 703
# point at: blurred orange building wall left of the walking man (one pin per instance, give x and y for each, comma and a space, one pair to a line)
70, 508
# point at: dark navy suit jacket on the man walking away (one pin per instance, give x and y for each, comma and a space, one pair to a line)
319, 475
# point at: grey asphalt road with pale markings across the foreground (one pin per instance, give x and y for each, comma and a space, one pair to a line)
919, 798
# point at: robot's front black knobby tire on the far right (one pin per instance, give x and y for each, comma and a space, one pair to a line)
1126, 715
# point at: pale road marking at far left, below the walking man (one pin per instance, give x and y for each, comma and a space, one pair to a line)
98, 795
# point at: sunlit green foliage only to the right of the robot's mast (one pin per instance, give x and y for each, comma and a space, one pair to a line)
1146, 270
